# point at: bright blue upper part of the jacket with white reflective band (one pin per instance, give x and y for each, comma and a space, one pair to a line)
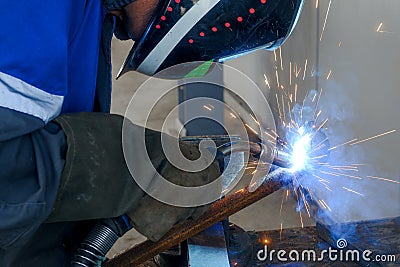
49, 56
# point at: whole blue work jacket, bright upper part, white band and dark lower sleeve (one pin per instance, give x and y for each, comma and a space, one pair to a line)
55, 58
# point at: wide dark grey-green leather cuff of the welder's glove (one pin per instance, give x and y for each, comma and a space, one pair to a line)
95, 182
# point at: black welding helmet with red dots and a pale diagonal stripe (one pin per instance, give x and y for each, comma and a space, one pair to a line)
210, 30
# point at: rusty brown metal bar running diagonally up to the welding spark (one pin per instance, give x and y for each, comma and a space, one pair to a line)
218, 211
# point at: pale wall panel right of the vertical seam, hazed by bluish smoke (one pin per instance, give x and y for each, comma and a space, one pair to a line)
362, 98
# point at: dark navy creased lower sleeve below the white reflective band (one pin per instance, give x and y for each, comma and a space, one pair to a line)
31, 162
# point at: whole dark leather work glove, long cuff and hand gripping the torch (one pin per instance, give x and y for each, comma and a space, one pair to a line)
96, 181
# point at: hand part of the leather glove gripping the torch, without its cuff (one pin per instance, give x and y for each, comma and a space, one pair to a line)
153, 218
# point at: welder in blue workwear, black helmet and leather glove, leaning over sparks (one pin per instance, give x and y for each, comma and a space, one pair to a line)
62, 166
